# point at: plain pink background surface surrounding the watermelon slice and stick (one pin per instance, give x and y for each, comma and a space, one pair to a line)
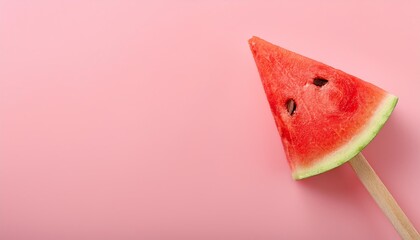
131, 120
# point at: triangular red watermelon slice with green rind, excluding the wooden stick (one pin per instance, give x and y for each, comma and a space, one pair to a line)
324, 116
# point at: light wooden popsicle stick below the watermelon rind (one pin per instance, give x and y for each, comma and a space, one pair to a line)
383, 198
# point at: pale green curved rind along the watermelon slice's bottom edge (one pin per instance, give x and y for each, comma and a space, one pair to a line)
354, 146
